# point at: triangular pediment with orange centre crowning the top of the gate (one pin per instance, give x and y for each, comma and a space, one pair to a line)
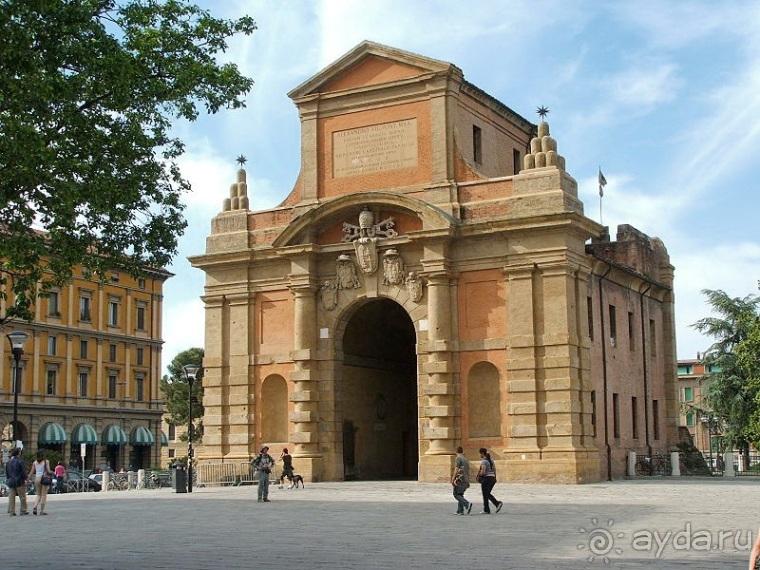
370, 64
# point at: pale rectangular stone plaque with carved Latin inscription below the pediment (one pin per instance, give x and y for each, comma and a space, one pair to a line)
375, 148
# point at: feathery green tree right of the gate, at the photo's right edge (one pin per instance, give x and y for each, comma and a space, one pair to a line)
729, 392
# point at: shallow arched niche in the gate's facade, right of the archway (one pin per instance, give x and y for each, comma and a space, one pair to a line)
483, 401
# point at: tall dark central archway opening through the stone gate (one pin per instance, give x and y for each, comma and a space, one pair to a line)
379, 400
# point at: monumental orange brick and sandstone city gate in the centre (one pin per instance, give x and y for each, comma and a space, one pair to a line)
427, 284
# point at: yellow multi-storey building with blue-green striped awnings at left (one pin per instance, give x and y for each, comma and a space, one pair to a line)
90, 373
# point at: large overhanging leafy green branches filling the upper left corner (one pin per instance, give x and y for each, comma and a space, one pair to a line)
88, 172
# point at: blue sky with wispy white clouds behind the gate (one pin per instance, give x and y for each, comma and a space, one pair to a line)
664, 96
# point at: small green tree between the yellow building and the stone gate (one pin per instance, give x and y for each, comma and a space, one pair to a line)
176, 391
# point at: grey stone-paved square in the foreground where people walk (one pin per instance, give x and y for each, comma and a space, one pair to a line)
657, 523
